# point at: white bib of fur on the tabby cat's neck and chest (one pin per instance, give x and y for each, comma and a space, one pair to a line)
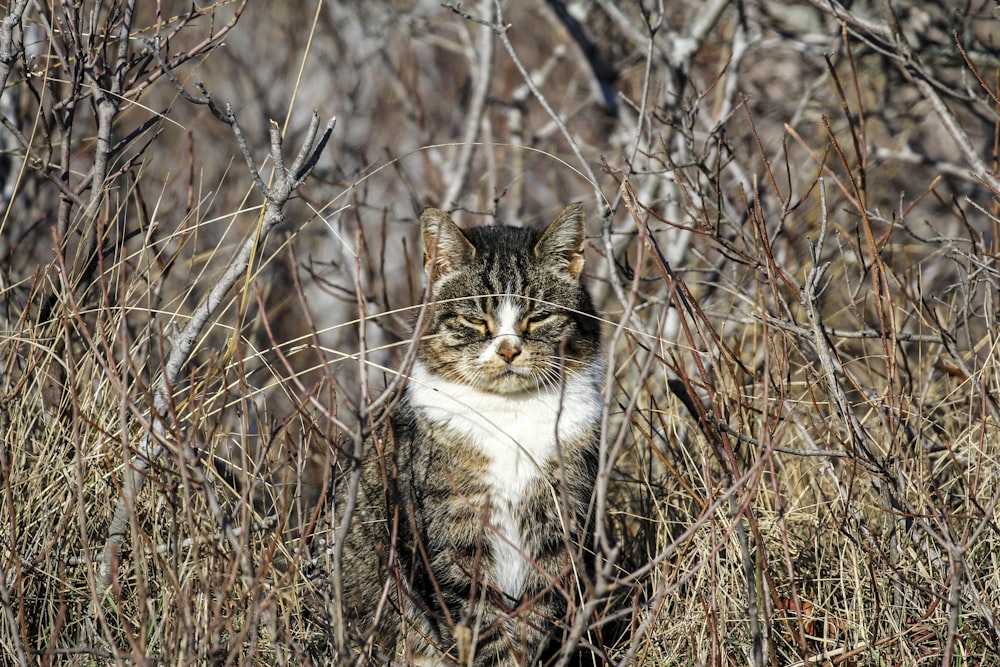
518, 434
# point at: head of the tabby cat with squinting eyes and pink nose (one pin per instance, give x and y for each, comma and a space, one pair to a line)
510, 311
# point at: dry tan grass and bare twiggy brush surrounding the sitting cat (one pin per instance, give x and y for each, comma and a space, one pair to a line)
793, 250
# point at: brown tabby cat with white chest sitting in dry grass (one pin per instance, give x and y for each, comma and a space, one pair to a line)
472, 511
